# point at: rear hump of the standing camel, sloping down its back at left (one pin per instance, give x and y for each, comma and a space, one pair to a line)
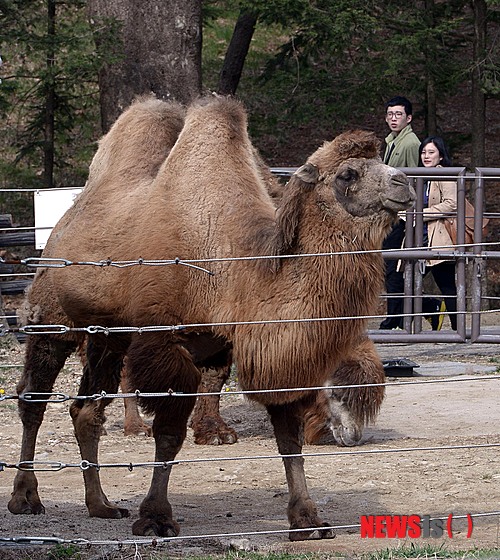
120, 175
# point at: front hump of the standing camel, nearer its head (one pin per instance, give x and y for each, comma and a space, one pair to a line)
213, 181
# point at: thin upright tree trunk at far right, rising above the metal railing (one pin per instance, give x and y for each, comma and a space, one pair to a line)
478, 98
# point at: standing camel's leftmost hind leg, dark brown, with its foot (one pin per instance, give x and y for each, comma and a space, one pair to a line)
45, 357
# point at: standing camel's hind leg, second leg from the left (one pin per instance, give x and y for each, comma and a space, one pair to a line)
101, 373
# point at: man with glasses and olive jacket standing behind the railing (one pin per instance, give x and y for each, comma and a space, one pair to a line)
401, 150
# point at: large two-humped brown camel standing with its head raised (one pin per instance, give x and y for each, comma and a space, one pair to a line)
208, 199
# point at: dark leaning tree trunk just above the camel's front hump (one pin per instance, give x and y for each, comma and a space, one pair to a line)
236, 53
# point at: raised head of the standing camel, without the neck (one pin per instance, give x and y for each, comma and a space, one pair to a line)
349, 171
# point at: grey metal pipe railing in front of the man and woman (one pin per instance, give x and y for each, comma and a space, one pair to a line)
469, 278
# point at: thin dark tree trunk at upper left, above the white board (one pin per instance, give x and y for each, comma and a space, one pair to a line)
48, 145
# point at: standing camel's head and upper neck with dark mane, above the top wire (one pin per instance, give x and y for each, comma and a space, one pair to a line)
350, 188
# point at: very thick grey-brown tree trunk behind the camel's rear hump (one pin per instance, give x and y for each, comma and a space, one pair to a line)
159, 44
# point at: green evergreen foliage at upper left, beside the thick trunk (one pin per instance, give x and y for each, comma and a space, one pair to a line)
27, 77
